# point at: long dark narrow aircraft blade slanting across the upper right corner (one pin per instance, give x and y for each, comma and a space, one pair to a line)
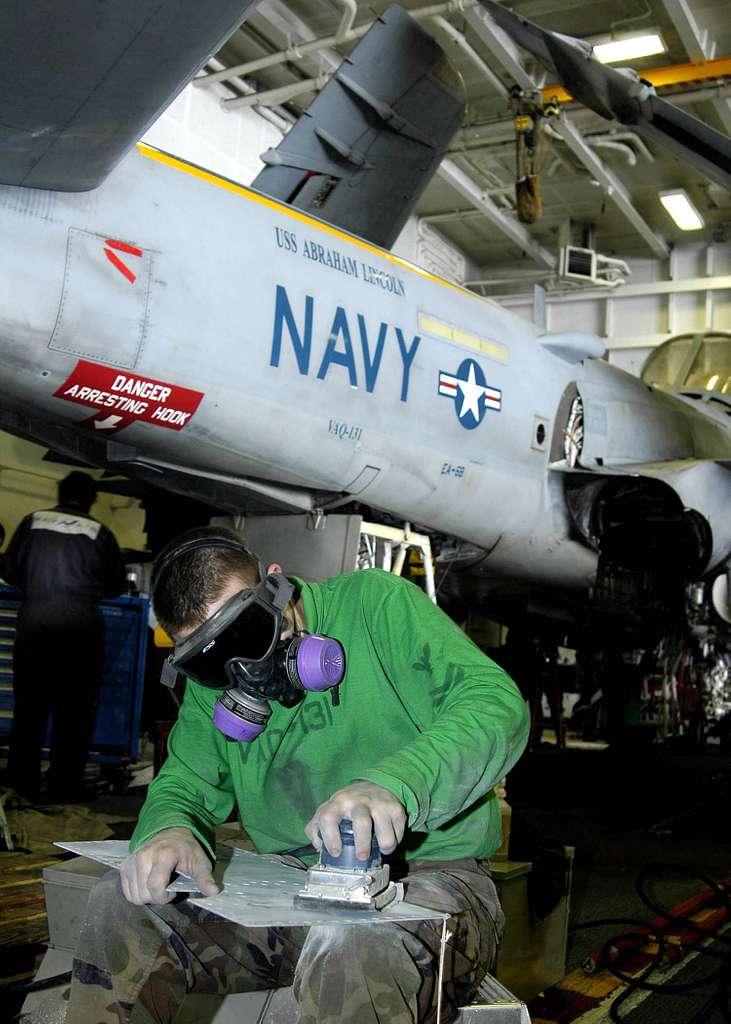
621, 95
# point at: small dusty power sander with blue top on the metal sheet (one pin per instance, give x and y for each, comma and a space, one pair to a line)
348, 882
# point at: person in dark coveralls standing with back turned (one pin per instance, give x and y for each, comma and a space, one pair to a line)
64, 562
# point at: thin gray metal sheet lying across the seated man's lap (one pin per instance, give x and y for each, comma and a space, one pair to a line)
260, 891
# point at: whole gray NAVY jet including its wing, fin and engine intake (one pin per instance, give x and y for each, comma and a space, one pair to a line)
235, 347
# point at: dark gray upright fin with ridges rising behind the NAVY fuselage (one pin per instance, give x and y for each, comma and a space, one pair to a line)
364, 152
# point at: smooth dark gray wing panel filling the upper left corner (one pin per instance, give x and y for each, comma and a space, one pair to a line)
80, 82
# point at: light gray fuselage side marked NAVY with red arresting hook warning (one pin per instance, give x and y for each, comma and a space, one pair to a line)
211, 328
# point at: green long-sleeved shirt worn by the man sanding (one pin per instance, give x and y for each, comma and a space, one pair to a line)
422, 712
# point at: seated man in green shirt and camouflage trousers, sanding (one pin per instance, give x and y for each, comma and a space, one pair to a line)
410, 746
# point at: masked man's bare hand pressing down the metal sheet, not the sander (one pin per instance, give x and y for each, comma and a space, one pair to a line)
147, 873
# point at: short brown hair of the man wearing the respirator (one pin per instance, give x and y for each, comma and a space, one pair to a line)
186, 585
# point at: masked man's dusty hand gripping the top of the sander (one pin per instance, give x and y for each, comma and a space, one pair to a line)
370, 807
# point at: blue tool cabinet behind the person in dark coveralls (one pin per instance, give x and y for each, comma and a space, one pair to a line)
116, 739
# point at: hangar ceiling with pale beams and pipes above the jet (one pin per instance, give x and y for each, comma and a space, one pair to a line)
599, 178
